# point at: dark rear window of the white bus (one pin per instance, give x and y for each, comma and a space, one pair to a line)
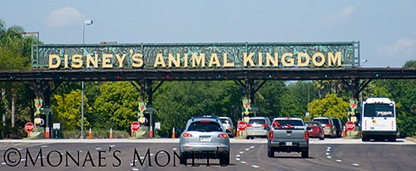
379, 110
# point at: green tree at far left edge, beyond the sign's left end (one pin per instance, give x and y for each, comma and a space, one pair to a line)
15, 51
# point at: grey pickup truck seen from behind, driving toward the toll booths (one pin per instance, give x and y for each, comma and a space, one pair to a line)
288, 135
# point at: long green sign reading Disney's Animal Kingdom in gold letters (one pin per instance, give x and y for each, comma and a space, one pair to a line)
190, 56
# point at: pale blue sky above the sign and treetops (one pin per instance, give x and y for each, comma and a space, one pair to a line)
386, 29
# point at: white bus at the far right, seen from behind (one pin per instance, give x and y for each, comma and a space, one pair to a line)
378, 119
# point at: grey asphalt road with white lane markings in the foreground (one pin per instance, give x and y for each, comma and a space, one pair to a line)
330, 154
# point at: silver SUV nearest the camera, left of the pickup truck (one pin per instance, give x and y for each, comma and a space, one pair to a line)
204, 137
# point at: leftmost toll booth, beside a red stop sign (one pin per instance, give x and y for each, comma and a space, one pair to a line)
43, 124
